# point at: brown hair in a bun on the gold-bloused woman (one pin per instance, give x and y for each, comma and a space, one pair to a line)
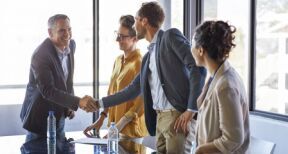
128, 21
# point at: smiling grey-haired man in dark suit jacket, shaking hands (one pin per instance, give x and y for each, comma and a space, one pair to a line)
50, 86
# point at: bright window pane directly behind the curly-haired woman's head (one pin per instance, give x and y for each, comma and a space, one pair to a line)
237, 16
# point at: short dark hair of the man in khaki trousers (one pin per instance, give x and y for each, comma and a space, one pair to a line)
153, 12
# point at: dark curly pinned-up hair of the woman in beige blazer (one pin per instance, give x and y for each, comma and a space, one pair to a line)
216, 38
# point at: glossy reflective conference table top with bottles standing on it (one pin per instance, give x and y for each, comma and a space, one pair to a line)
16, 144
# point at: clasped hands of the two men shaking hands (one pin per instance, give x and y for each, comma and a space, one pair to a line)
88, 104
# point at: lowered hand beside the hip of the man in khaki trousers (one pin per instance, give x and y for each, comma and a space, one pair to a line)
182, 121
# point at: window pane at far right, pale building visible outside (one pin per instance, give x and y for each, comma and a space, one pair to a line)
271, 56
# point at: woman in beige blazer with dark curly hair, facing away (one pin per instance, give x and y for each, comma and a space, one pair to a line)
223, 112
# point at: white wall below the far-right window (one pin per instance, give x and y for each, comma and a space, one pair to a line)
270, 130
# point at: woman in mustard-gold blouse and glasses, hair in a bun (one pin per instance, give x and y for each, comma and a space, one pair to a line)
129, 116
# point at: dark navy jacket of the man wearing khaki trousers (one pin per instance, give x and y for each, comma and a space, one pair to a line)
181, 79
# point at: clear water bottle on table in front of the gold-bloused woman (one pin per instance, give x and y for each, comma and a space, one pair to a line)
113, 136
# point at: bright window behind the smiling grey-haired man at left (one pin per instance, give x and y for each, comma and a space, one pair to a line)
23, 27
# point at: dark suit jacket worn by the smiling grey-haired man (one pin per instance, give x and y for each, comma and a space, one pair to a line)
47, 89
